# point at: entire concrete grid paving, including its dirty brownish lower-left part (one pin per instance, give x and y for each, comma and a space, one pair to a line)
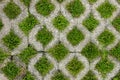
59, 37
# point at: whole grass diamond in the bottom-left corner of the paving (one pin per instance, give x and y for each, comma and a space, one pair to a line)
11, 70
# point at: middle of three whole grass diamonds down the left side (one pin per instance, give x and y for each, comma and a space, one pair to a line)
11, 40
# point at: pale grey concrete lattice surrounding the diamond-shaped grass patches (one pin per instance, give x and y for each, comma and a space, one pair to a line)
60, 36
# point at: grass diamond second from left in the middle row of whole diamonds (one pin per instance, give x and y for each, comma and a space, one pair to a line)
44, 36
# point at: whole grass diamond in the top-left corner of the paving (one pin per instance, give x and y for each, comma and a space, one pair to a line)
12, 10
